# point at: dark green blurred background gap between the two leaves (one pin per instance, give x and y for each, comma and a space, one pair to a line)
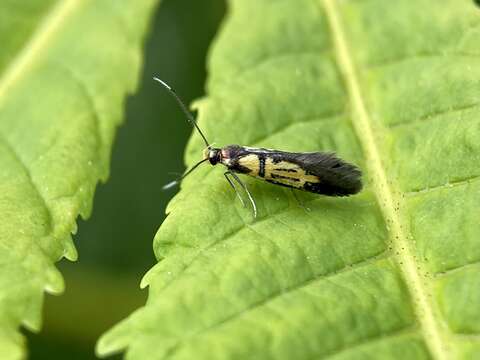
115, 244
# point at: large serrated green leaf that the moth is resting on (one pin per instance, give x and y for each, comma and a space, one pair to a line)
392, 273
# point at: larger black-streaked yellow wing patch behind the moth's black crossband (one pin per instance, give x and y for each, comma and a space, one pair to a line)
288, 173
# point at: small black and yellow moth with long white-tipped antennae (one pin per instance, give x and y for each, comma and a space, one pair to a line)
316, 172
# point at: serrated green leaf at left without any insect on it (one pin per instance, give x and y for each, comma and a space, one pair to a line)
65, 69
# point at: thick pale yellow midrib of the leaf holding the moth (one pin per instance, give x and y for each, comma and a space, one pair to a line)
384, 192
